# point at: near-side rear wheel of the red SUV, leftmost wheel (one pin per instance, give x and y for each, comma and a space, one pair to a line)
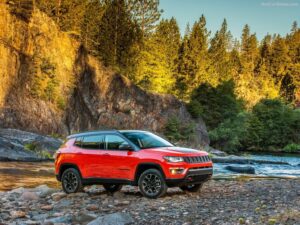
71, 181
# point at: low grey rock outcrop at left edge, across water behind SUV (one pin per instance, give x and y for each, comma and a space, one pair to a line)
16, 145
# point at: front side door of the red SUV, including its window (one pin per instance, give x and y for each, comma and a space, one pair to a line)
121, 163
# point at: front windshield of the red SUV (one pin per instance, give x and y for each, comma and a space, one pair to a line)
146, 140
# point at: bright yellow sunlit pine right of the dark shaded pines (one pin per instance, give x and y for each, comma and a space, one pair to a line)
158, 59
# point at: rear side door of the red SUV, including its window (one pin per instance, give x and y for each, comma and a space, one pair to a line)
93, 155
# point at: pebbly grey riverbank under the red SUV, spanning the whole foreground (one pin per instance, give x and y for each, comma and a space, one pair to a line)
273, 201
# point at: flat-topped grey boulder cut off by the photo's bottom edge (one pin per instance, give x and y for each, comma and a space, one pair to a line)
113, 219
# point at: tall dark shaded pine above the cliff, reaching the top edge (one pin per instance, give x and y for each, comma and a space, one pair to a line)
118, 34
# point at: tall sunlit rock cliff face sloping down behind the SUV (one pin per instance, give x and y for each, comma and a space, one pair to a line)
89, 95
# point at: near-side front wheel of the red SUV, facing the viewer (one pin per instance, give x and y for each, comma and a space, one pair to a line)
152, 184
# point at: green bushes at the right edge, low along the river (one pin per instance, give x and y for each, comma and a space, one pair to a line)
271, 126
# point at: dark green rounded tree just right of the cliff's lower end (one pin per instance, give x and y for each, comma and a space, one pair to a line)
216, 104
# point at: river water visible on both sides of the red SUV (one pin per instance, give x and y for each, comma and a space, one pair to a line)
24, 174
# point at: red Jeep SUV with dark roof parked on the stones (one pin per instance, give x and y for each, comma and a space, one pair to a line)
133, 157
